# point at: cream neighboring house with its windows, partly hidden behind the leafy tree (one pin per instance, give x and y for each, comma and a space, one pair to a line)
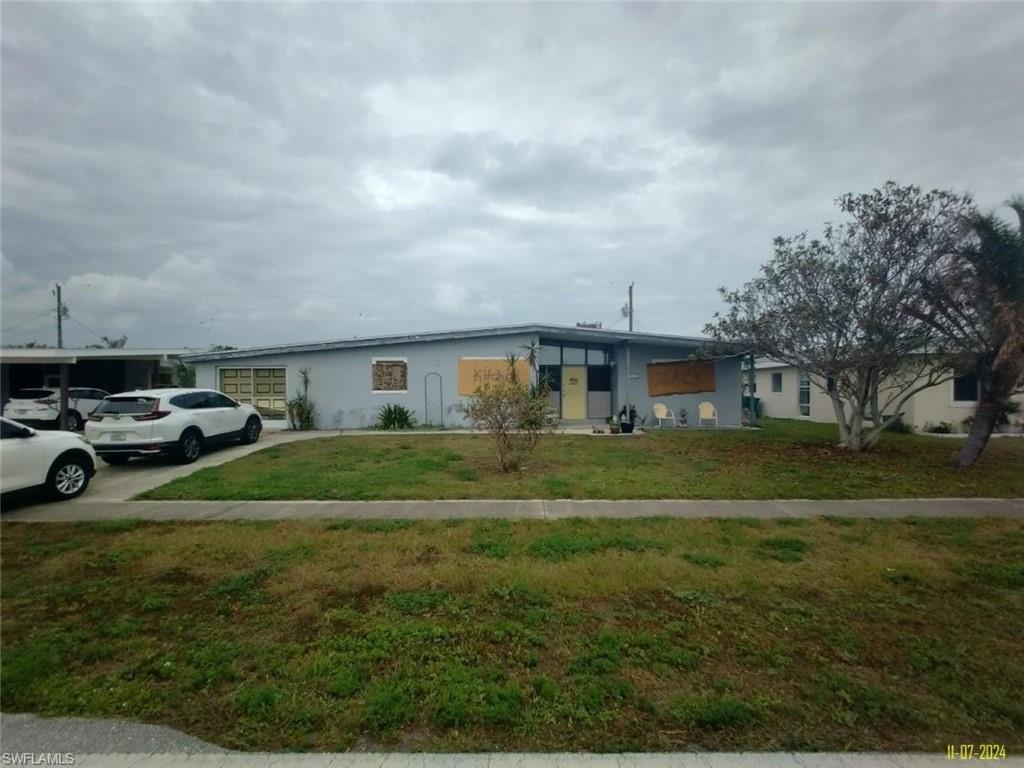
788, 394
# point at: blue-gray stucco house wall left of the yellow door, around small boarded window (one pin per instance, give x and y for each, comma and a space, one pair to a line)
340, 379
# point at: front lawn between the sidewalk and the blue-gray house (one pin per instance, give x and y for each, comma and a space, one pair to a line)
786, 460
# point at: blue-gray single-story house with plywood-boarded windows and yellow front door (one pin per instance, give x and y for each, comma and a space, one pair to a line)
433, 374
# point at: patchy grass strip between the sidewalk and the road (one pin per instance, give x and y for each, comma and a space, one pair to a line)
609, 635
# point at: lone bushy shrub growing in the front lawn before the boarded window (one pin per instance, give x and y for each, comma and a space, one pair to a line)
514, 413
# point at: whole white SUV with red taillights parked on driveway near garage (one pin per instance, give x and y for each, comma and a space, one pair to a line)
172, 422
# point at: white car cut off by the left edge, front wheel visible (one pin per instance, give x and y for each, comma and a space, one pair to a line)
63, 462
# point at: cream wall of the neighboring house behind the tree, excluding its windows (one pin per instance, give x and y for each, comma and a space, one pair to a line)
928, 408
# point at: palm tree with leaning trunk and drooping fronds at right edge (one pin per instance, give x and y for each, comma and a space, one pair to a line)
975, 301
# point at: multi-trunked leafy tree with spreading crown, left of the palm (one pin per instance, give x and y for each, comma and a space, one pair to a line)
836, 308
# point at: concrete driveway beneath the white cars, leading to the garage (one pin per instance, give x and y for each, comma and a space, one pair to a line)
121, 484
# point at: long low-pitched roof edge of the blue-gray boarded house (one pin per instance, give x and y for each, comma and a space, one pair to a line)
565, 333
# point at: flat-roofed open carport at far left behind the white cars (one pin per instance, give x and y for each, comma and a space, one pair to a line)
114, 370
